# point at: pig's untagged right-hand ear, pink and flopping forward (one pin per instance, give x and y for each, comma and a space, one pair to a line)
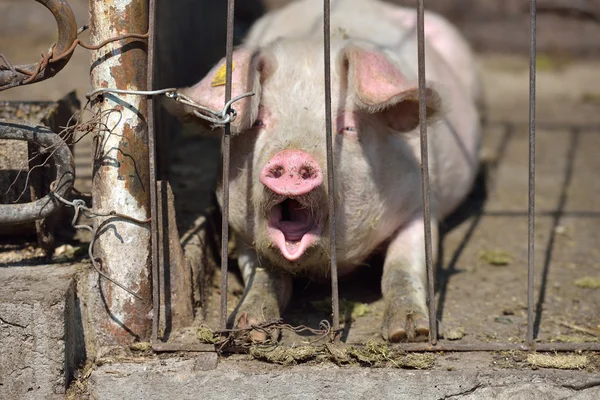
380, 87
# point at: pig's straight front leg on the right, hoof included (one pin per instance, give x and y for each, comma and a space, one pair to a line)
404, 284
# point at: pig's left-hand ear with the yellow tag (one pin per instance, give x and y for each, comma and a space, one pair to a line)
250, 69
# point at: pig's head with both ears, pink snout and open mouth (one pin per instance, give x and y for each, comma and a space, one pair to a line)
279, 170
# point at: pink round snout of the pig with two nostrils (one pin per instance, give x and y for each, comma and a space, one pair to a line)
291, 173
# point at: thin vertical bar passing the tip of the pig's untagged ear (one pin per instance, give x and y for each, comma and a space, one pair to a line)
425, 171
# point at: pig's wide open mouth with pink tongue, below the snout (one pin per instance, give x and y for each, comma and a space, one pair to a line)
292, 228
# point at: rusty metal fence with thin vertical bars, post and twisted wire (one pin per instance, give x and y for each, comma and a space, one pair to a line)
150, 240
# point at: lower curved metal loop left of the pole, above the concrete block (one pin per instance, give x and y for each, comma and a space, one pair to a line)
52, 146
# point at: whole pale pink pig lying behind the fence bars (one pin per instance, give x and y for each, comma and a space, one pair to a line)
279, 174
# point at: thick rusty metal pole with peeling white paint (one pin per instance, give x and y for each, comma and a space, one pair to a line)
121, 180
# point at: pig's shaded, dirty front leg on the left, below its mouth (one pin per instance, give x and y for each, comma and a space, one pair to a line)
267, 293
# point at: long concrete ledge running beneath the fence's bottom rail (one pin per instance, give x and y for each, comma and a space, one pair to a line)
188, 379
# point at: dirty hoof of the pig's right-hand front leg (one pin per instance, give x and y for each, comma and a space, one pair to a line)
405, 326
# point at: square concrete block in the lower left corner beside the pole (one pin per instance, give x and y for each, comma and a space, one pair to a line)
40, 331
